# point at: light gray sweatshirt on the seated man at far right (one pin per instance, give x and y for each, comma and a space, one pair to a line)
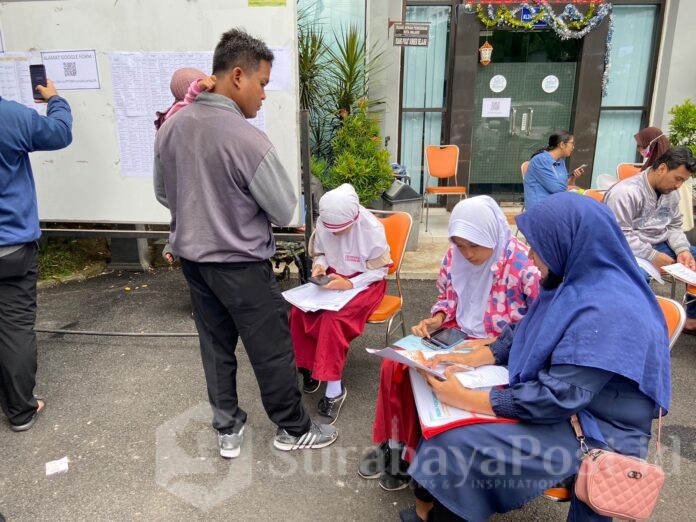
646, 219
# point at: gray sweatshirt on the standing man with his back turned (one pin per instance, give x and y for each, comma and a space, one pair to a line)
223, 183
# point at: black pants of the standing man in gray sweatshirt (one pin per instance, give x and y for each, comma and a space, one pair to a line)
243, 299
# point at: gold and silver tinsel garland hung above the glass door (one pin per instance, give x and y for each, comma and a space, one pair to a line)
570, 23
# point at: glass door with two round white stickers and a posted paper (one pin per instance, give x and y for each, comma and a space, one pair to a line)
522, 97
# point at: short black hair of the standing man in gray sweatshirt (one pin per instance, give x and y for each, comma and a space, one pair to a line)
238, 48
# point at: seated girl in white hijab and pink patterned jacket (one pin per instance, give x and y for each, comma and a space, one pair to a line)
486, 282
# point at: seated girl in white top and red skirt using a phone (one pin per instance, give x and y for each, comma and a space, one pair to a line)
350, 245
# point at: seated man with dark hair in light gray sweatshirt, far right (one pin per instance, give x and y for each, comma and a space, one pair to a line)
647, 210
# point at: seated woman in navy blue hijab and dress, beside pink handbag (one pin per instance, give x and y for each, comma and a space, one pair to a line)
593, 343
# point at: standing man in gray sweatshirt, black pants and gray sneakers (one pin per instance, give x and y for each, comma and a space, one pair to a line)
224, 185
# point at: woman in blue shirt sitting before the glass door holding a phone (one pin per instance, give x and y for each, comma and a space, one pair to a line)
547, 173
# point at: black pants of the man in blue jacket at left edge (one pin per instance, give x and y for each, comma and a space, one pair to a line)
17, 336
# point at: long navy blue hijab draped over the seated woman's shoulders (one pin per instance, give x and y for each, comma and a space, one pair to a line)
603, 315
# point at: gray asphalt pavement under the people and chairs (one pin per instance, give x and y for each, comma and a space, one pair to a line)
132, 418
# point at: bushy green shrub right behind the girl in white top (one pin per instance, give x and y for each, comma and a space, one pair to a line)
359, 158
